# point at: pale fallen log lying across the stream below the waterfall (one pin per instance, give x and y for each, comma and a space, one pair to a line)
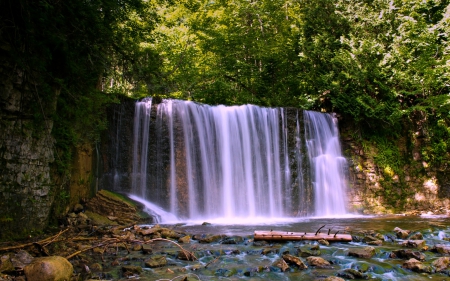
299, 236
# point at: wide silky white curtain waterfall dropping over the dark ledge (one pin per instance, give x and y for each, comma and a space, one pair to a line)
205, 162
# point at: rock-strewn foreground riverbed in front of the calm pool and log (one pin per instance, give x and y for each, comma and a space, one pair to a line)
89, 252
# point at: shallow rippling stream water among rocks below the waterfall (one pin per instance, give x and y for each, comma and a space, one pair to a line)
251, 264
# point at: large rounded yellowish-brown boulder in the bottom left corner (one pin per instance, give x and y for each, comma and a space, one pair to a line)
49, 269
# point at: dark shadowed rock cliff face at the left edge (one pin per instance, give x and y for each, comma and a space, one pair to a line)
26, 152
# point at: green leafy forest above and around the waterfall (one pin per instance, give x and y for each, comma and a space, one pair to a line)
379, 64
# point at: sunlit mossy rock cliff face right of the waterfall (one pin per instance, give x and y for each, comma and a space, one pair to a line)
415, 186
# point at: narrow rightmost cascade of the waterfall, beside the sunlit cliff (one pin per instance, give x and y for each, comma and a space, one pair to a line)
327, 164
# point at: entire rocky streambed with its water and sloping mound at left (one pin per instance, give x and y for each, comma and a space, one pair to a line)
107, 240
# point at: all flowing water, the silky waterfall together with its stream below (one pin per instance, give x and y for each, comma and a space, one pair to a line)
247, 168
